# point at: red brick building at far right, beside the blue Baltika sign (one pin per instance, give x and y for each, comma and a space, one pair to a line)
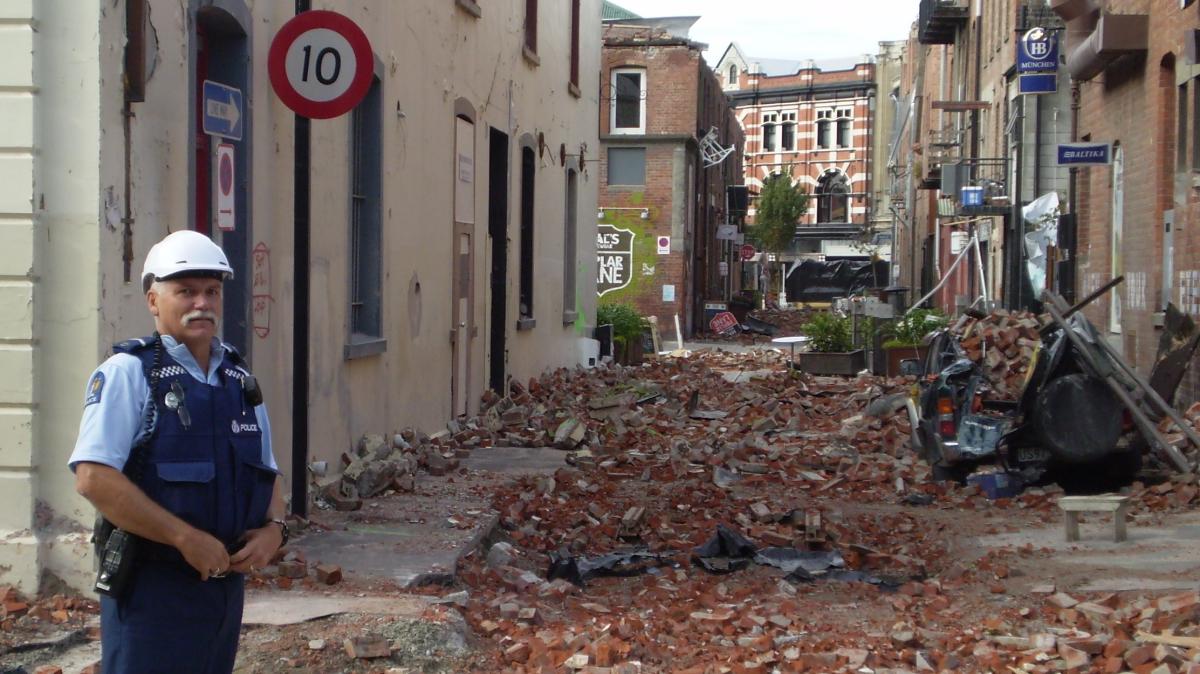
1136, 64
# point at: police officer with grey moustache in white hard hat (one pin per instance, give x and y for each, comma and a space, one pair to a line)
201, 490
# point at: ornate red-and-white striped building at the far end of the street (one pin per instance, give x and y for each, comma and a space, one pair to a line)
814, 122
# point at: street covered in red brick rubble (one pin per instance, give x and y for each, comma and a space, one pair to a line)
710, 513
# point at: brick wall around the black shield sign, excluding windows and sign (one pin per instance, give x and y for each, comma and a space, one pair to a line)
685, 100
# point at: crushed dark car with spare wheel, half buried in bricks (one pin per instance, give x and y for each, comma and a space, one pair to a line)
1066, 423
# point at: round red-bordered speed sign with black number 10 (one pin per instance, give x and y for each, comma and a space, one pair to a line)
321, 64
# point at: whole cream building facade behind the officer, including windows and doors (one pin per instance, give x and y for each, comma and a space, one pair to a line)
452, 233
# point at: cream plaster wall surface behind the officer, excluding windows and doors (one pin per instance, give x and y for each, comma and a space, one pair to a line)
63, 149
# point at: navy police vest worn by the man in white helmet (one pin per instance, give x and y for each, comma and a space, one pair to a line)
209, 474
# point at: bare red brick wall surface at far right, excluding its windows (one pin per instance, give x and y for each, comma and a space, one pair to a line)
1135, 104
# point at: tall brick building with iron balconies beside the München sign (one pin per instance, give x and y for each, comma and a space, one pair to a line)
969, 131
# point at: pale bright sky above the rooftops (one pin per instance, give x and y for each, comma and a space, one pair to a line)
789, 29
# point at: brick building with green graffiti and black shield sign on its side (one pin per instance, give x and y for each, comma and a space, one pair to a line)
662, 201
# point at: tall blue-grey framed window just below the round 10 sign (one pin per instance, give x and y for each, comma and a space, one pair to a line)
367, 142
